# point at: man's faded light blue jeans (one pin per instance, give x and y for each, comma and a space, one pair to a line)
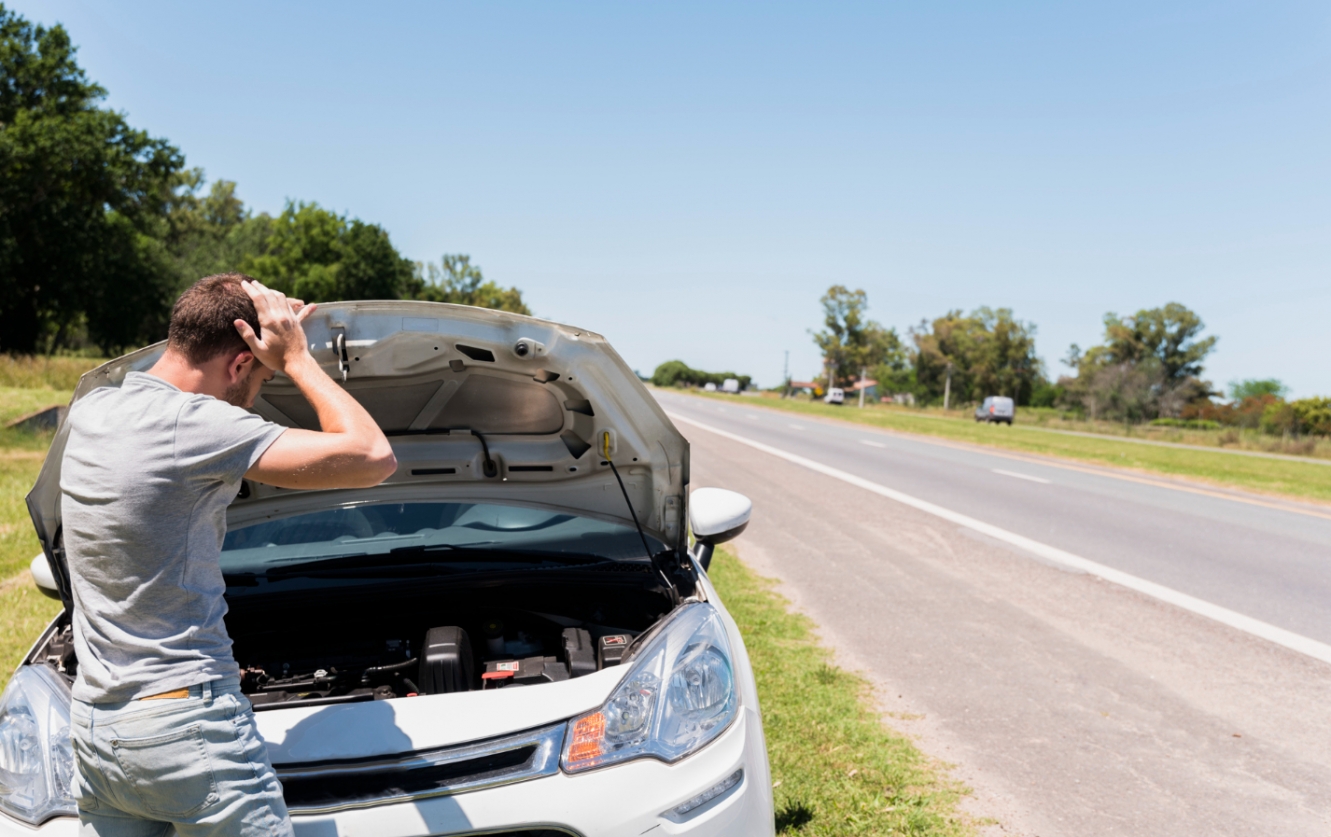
192, 763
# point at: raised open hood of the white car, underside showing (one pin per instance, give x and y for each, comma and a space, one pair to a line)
542, 396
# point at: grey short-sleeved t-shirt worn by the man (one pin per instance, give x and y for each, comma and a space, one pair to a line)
146, 482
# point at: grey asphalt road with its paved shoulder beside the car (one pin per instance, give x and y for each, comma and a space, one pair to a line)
1072, 706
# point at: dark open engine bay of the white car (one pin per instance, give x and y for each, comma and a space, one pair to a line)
347, 646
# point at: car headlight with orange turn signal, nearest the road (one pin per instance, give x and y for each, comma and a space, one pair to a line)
678, 697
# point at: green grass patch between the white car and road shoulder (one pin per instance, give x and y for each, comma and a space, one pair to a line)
837, 768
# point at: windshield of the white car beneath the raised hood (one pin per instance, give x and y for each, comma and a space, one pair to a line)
387, 529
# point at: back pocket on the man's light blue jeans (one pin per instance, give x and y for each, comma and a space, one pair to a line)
171, 774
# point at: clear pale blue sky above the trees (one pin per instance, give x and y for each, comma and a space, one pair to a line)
689, 179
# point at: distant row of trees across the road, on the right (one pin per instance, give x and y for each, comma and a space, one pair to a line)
1147, 369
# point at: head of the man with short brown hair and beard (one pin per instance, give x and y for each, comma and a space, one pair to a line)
203, 335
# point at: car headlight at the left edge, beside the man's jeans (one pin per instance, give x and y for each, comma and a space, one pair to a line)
37, 756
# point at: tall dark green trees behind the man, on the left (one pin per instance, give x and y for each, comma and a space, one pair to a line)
103, 226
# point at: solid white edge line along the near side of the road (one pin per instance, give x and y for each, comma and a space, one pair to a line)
1227, 617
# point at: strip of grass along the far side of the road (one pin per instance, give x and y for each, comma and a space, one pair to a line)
1282, 477
